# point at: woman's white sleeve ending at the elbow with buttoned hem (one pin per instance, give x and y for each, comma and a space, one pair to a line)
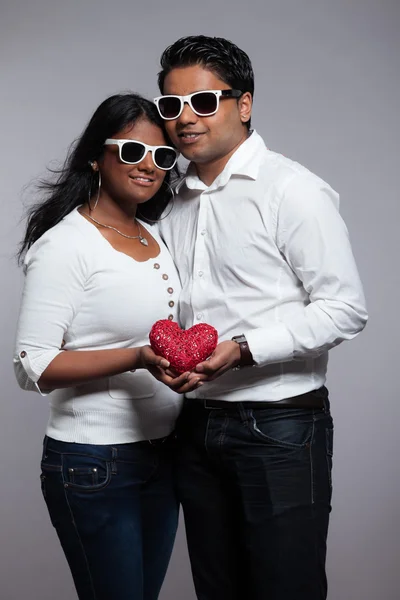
55, 275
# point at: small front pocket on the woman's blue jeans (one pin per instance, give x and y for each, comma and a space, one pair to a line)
85, 473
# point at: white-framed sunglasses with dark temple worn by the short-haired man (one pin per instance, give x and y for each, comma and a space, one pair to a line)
203, 104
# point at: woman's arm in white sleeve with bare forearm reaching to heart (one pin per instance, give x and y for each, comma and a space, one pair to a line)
56, 273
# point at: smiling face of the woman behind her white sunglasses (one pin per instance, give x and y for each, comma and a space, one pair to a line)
132, 184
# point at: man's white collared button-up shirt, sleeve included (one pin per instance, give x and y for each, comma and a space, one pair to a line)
264, 252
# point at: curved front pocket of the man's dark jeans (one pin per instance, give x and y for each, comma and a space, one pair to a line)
282, 428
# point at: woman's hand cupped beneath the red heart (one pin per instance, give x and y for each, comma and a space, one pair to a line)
159, 368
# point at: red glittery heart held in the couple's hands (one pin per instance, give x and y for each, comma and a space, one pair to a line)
184, 349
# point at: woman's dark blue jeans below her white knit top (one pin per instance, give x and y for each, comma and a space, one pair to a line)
115, 512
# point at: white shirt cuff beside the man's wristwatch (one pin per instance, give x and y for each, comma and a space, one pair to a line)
271, 344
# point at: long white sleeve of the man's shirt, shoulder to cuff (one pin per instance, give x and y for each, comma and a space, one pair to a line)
313, 239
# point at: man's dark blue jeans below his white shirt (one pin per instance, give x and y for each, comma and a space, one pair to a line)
255, 485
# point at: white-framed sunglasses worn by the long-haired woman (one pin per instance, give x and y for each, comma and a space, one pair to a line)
132, 152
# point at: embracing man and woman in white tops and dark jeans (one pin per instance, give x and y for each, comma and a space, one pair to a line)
252, 244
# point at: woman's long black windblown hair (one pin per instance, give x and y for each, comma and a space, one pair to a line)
76, 180
